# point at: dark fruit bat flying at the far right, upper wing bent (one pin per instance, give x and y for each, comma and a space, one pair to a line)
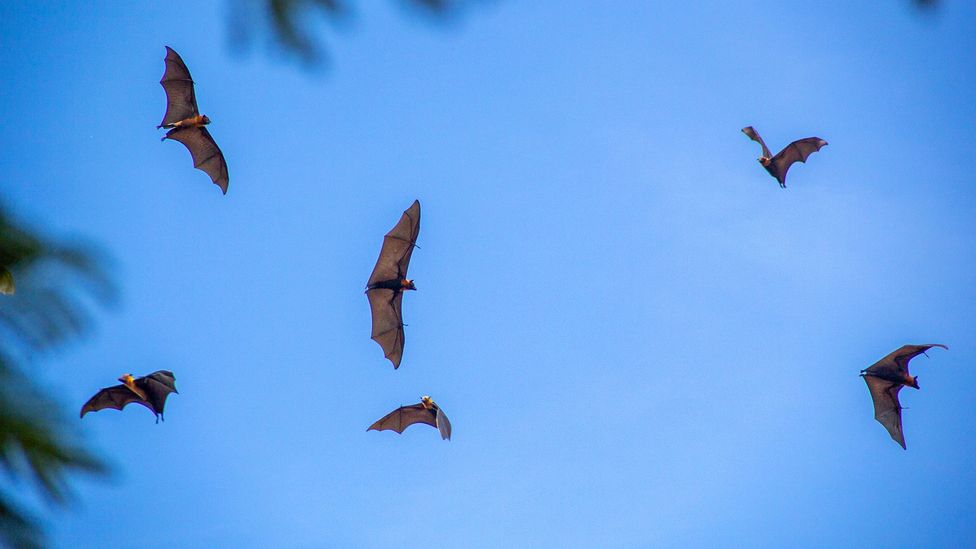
885, 378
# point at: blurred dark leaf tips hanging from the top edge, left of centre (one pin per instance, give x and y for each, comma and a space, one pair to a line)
290, 22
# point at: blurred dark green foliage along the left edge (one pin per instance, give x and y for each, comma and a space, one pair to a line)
56, 286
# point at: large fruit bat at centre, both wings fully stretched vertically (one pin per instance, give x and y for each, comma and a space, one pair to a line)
388, 282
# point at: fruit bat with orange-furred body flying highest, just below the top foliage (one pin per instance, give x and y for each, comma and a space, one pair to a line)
186, 124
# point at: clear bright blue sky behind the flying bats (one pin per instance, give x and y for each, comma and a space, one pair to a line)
639, 338
